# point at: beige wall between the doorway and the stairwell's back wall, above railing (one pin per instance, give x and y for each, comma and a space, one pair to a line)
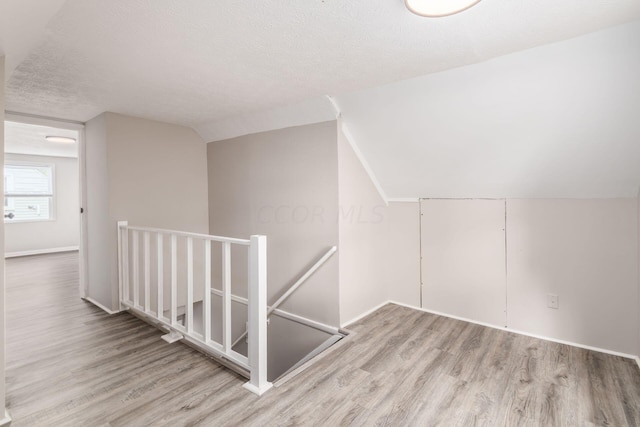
148, 173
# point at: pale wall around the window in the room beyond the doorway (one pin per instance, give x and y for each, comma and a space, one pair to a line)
63, 230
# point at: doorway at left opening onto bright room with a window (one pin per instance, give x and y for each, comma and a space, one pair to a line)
43, 185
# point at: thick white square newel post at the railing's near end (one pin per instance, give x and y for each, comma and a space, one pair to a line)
257, 313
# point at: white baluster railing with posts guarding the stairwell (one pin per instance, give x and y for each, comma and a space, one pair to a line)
129, 283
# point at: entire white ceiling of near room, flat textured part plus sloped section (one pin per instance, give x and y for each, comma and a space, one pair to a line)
228, 68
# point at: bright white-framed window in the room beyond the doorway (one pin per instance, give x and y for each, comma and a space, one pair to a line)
28, 192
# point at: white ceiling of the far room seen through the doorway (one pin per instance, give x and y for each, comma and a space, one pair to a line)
20, 138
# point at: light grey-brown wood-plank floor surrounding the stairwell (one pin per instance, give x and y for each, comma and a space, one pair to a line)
69, 363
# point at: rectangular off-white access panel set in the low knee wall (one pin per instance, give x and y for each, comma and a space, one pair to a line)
463, 258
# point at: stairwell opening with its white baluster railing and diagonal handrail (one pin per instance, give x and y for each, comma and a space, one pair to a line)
182, 283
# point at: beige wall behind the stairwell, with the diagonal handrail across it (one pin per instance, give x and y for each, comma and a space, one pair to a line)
283, 184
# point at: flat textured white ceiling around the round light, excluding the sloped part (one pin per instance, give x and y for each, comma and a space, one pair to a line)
199, 62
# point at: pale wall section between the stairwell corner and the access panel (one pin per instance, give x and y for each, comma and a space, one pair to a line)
379, 243
